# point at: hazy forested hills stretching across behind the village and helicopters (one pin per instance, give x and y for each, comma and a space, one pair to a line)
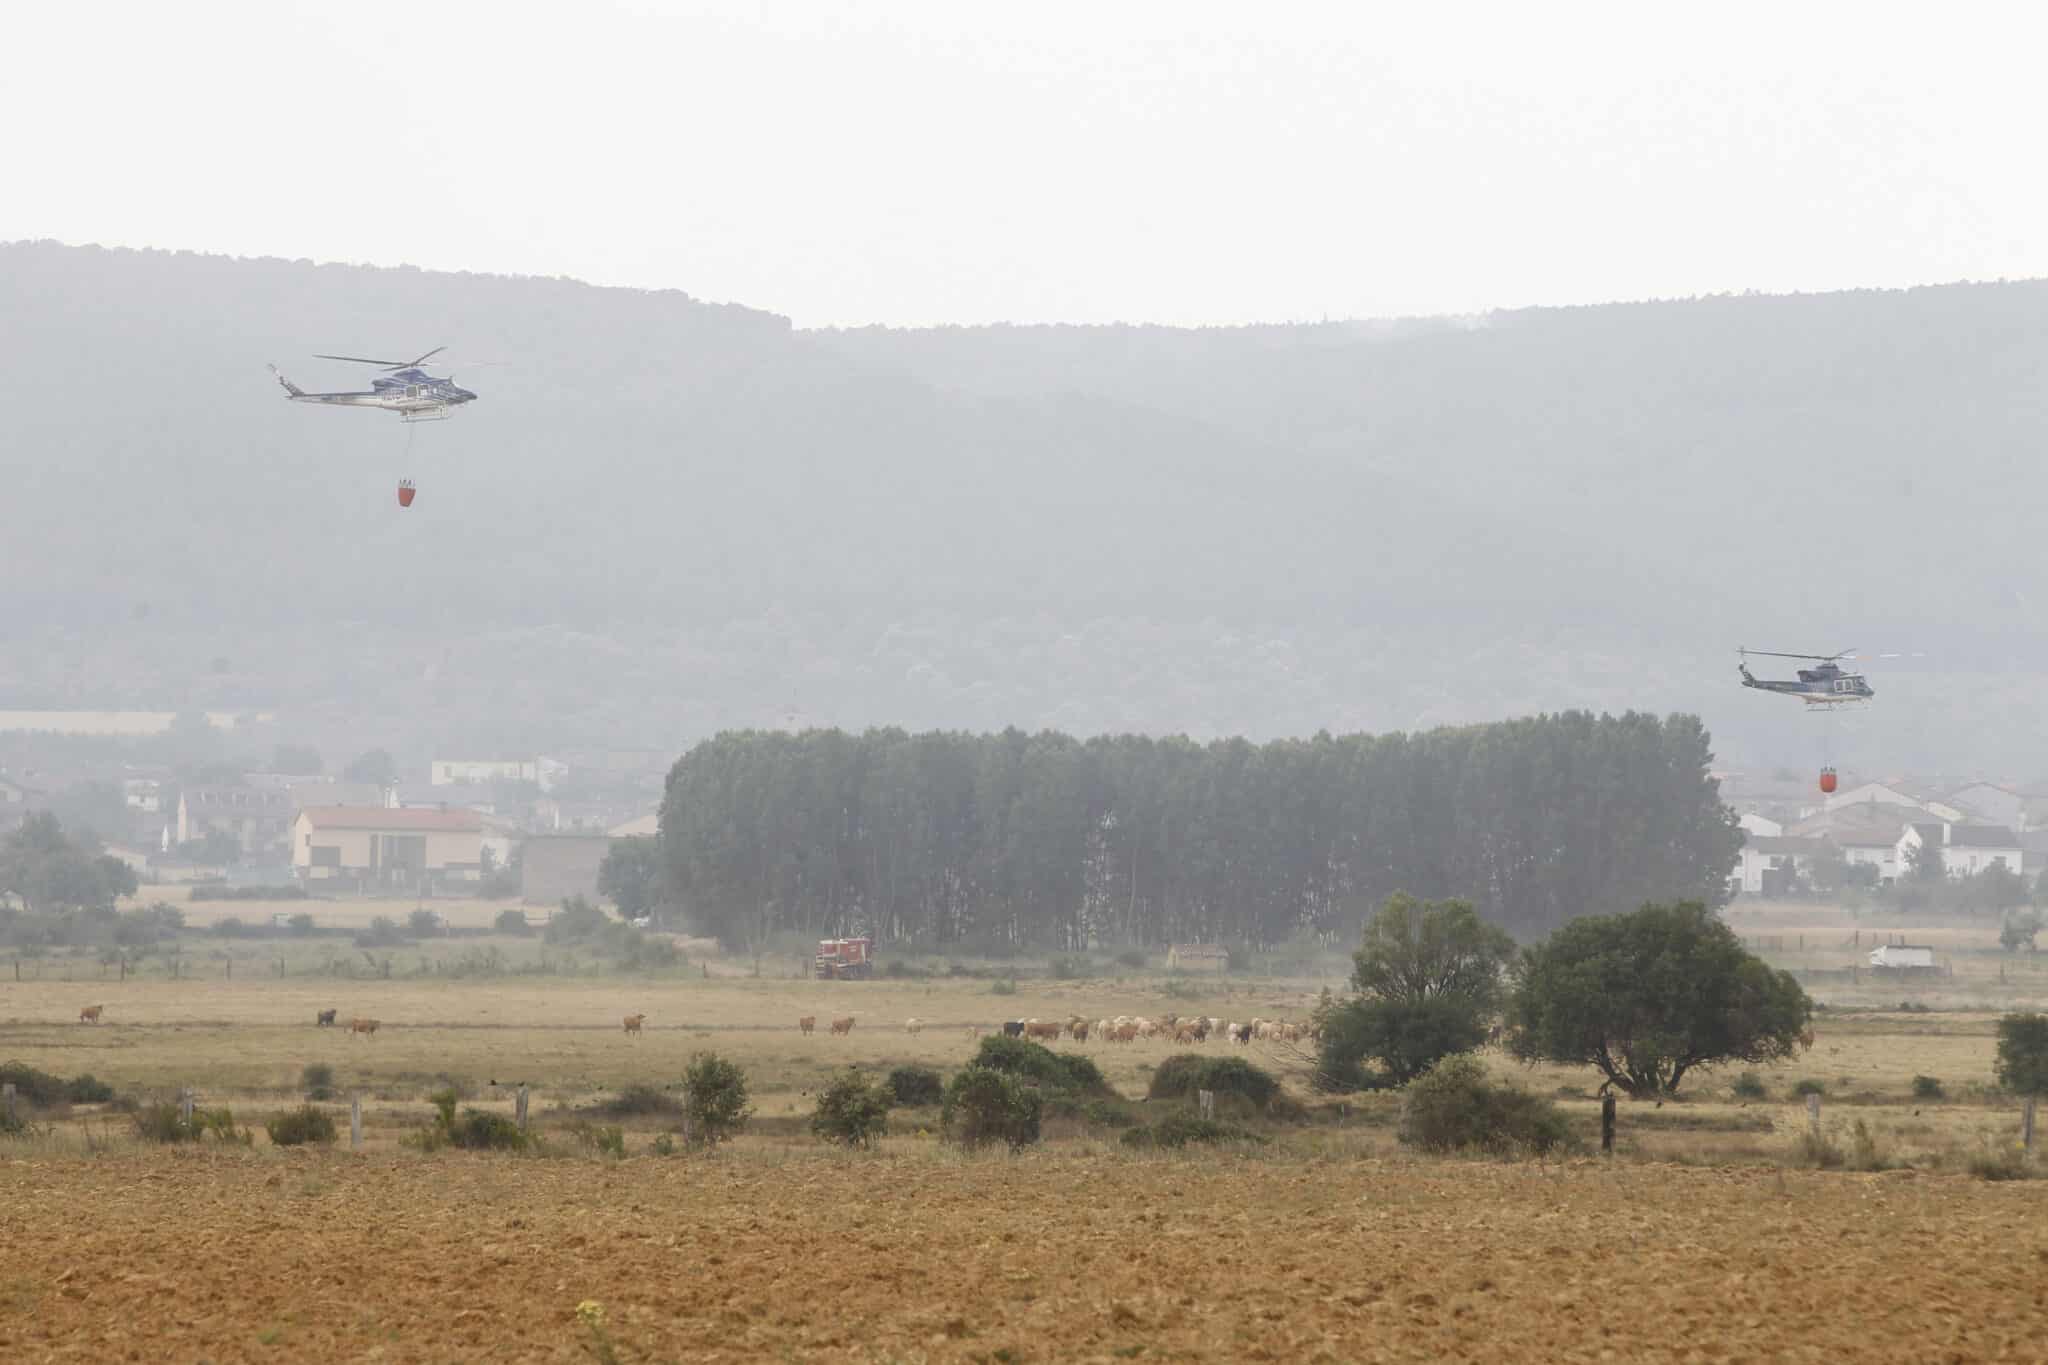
667, 519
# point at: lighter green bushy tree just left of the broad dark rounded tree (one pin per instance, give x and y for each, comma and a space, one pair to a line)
1428, 981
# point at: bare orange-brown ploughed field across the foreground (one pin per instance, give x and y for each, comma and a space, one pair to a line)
1050, 1258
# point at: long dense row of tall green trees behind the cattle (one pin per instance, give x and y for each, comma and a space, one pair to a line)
1005, 842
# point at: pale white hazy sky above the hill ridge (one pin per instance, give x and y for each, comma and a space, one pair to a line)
931, 161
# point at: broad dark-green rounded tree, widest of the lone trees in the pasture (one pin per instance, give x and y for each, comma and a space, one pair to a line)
1652, 996
